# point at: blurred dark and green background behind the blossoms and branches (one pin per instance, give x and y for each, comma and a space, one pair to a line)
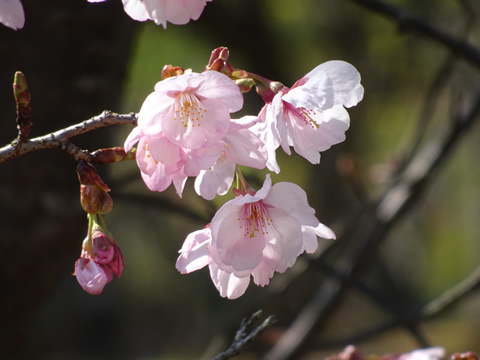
81, 59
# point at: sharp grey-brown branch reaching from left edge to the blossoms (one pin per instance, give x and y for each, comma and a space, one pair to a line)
60, 139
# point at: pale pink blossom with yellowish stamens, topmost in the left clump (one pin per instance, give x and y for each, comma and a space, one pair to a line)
192, 110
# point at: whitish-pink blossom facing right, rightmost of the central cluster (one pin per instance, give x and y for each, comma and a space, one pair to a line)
311, 116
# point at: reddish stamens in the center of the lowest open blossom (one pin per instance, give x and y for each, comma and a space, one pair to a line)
254, 218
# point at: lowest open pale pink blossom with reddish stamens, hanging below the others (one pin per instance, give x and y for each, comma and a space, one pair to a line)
254, 235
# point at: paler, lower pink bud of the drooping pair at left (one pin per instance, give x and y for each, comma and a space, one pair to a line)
90, 275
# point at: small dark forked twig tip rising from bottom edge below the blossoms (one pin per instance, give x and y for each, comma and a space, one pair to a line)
243, 339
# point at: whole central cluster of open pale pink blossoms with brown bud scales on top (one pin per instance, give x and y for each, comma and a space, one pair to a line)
185, 130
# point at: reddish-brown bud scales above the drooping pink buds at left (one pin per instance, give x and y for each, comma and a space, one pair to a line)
94, 195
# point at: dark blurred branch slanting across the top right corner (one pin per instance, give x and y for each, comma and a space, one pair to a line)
411, 22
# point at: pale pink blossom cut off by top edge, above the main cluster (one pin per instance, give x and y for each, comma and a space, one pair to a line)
177, 12
